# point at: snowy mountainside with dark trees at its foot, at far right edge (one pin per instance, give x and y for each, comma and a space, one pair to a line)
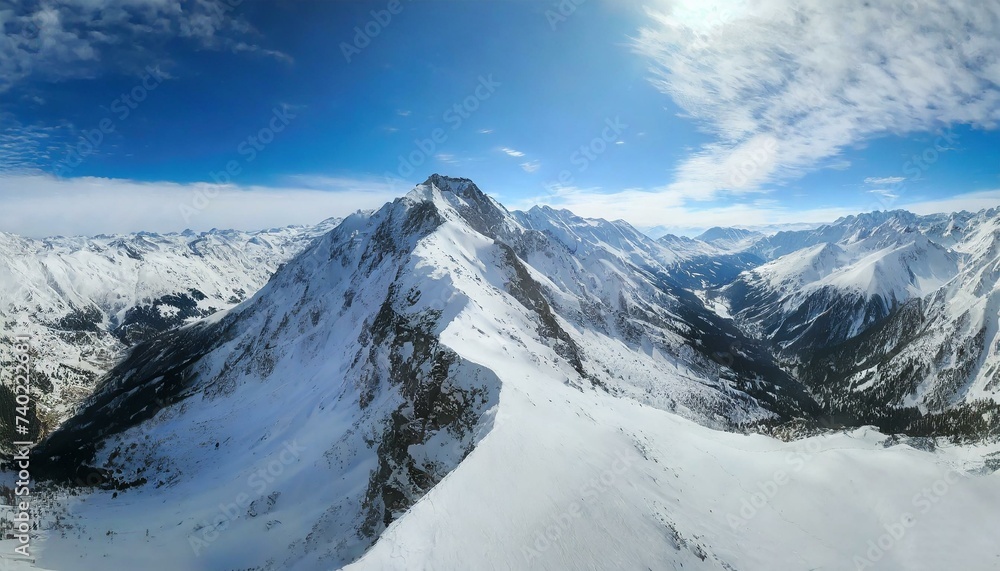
938, 352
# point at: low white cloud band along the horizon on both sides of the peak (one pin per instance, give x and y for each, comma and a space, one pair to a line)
41, 205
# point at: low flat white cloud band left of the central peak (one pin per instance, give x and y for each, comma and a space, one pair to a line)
42, 205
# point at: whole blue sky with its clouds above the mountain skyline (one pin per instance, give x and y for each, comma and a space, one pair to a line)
673, 115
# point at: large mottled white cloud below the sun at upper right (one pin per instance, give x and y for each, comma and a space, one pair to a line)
786, 85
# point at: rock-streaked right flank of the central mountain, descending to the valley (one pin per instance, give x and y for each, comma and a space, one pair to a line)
632, 318
